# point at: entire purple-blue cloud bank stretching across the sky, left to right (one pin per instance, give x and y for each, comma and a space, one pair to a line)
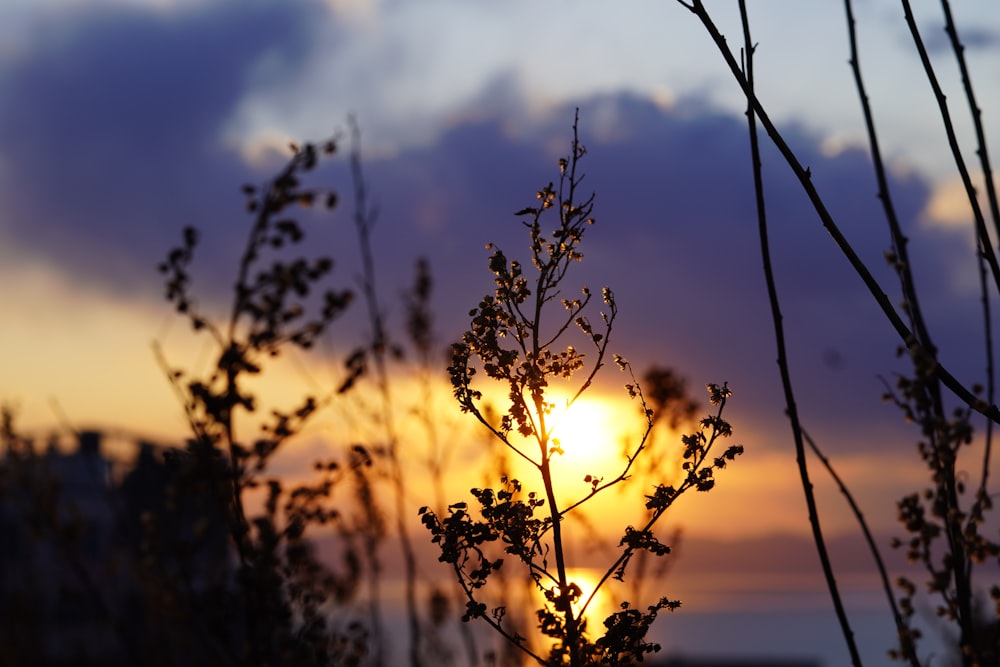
112, 136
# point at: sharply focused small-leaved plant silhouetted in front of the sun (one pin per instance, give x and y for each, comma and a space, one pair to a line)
518, 342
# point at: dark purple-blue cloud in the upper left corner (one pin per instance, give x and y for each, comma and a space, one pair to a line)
111, 128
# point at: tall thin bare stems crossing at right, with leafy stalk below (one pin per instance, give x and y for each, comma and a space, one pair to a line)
943, 523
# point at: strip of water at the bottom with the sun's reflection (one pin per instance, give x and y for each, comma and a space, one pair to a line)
773, 615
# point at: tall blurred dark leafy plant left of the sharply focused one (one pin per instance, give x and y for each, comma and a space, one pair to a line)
282, 591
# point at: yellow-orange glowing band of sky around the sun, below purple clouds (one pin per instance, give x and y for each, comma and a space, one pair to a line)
95, 361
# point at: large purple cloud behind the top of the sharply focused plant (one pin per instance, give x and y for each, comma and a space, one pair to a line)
677, 239
